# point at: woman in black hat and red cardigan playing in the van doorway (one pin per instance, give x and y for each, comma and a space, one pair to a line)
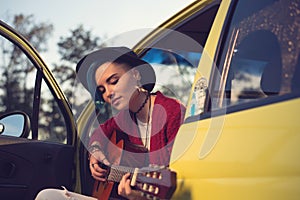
117, 76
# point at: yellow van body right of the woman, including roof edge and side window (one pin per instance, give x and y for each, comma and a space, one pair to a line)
241, 135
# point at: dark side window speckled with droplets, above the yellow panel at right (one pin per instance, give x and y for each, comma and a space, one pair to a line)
260, 61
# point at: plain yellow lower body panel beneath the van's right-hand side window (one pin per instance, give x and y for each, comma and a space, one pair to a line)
255, 156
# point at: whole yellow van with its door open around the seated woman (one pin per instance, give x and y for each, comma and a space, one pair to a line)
235, 64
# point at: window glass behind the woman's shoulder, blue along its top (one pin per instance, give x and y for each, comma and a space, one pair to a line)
174, 71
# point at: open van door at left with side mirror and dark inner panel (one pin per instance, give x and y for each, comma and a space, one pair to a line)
37, 129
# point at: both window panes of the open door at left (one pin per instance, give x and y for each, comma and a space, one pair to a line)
17, 85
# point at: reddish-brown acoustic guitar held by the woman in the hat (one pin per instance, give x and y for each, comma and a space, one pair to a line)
154, 182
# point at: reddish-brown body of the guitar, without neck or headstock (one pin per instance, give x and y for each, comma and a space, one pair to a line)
119, 152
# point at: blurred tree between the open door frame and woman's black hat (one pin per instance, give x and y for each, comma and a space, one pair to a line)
71, 49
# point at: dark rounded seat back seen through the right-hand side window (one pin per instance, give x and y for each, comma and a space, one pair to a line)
261, 55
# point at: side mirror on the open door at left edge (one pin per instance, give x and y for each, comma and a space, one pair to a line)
16, 124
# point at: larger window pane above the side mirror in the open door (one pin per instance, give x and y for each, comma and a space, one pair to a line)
16, 80
